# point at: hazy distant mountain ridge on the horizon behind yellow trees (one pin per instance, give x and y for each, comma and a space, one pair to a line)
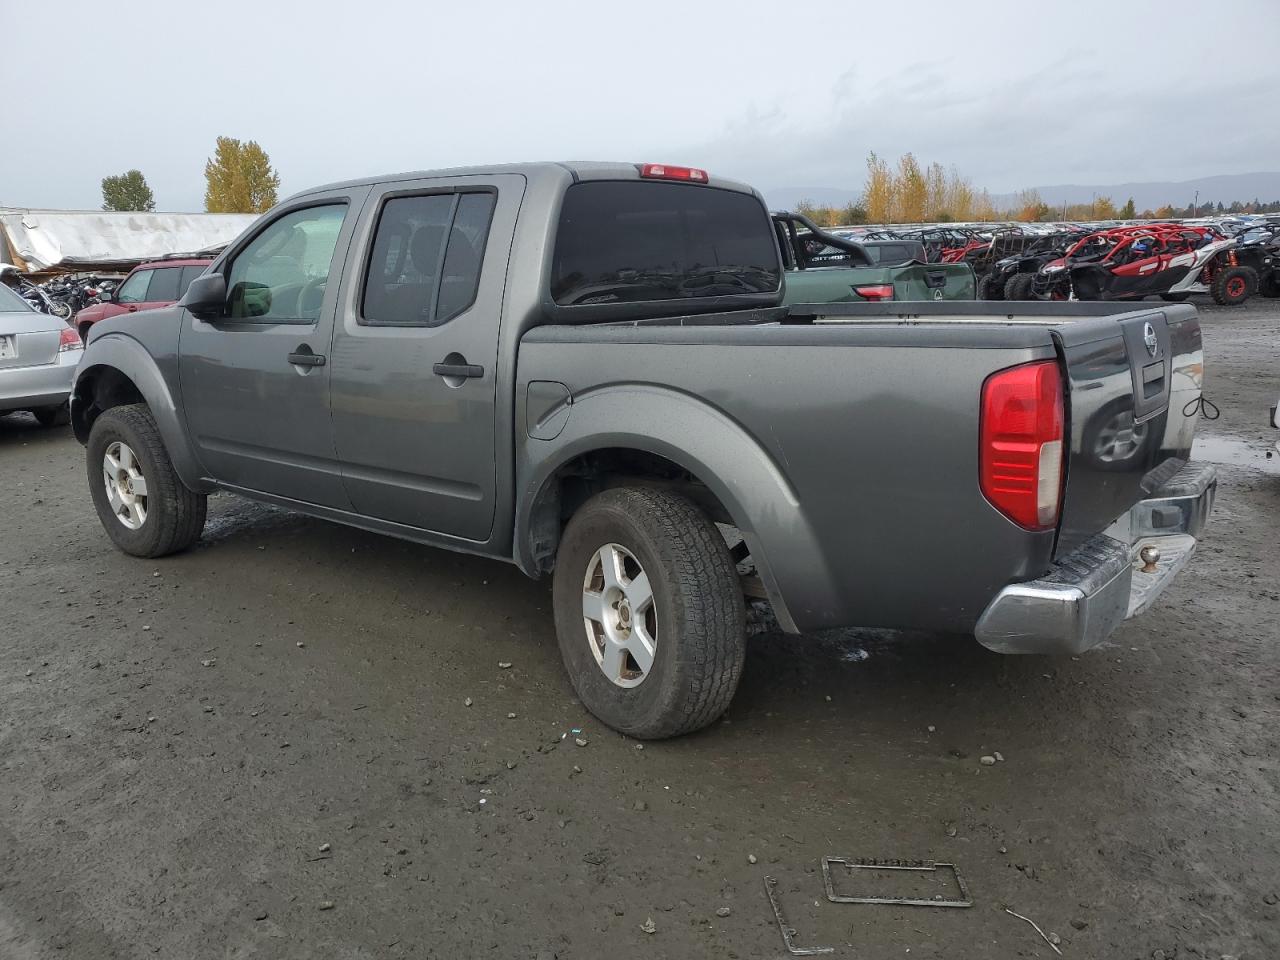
1146, 195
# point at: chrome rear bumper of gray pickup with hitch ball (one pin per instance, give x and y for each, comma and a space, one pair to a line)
1090, 593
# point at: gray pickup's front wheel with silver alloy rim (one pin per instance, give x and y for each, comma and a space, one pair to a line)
141, 502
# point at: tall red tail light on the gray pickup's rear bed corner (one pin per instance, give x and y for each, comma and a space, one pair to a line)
1022, 444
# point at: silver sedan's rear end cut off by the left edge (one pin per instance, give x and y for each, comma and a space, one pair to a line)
39, 355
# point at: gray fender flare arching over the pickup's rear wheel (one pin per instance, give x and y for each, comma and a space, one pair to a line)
711, 446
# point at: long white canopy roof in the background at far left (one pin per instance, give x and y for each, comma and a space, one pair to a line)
42, 241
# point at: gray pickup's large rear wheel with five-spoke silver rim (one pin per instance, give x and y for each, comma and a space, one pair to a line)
650, 614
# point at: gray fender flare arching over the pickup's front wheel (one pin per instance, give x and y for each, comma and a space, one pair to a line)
125, 355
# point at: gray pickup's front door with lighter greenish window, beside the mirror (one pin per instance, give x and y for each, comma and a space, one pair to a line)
255, 382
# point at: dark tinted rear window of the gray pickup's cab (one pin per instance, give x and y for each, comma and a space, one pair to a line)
624, 243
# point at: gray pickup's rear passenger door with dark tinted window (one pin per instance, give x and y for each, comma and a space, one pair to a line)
415, 354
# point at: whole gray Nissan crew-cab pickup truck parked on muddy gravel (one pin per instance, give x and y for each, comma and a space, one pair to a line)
584, 369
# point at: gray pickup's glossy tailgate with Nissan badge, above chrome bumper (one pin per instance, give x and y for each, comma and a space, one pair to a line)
1133, 381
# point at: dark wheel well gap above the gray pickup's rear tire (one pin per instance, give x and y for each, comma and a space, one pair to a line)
587, 476
